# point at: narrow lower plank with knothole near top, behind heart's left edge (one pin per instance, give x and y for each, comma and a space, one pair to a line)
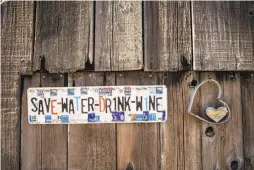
192, 126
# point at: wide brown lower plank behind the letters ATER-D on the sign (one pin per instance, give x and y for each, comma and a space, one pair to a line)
92, 146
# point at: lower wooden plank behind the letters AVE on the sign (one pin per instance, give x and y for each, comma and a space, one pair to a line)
53, 137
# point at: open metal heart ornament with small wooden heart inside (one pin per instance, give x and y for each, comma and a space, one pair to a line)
215, 114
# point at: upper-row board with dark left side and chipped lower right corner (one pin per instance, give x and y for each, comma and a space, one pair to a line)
167, 36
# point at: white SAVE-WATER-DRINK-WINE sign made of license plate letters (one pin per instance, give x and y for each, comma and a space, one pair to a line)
97, 104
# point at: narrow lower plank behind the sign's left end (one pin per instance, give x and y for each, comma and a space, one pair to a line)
30, 134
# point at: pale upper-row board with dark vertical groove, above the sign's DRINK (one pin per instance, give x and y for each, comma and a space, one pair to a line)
118, 36
